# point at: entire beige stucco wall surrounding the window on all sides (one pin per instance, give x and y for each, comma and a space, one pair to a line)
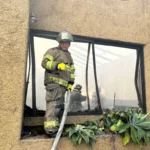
122, 20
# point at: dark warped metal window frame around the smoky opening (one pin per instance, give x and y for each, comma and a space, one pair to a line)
92, 41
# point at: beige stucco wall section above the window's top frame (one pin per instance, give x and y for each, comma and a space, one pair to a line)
123, 20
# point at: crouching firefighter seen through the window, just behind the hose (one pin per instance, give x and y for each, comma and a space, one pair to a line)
76, 99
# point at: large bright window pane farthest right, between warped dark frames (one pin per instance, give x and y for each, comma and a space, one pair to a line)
115, 73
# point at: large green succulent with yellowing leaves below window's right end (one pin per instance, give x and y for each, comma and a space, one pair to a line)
131, 124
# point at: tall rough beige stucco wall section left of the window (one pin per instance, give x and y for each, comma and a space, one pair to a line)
14, 32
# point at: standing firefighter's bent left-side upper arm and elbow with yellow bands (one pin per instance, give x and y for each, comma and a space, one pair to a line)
48, 62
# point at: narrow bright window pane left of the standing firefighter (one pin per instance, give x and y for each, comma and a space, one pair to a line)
41, 45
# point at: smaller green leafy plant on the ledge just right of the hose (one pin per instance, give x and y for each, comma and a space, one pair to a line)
86, 132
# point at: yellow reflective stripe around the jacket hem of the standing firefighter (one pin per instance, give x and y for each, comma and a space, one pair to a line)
57, 80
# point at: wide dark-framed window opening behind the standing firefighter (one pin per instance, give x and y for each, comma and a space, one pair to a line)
111, 74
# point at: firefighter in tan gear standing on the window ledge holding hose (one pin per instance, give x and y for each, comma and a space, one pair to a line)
59, 77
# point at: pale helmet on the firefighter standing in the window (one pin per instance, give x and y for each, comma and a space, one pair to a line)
64, 36
